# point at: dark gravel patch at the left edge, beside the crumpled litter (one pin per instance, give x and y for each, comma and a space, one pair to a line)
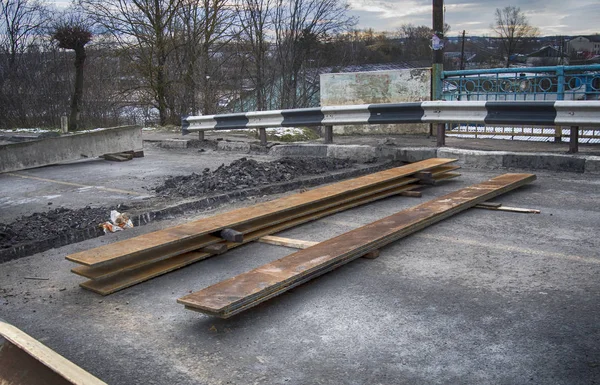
40, 226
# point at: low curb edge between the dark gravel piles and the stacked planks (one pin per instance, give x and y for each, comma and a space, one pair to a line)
140, 219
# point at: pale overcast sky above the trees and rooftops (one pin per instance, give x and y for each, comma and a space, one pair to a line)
552, 17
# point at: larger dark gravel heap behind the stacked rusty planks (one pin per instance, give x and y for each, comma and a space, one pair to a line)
245, 173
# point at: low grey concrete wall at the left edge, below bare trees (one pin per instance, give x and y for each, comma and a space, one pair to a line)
43, 152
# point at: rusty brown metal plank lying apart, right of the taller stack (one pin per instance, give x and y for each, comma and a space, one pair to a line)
246, 290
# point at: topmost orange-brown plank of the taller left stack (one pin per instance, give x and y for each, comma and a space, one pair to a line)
189, 231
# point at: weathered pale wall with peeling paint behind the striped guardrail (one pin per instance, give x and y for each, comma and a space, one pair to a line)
397, 86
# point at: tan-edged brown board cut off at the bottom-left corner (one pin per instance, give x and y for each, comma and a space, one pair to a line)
26, 361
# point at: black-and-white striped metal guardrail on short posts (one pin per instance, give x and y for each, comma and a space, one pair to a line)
503, 113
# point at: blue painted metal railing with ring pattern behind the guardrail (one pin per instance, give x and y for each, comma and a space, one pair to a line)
526, 83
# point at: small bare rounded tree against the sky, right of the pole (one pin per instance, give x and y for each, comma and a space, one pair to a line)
512, 26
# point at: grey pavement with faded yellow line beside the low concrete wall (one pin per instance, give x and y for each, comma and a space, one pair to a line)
97, 182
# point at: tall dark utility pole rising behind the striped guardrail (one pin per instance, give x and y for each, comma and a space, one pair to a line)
437, 66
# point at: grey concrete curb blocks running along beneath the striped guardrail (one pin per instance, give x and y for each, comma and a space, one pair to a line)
477, 153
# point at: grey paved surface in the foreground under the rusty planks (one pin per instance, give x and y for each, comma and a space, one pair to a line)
481, 298
